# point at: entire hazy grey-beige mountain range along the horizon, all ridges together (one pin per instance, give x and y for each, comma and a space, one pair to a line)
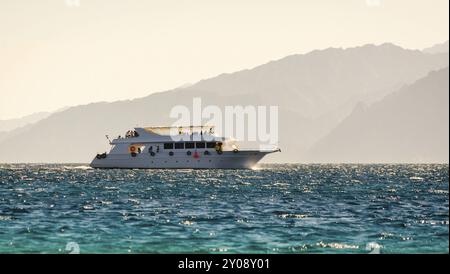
315, 92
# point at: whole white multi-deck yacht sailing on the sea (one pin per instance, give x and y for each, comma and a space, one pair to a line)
177, 147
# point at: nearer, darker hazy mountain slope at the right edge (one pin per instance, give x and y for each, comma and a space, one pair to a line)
408, 126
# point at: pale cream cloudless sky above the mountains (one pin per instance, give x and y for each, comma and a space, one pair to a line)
57, 53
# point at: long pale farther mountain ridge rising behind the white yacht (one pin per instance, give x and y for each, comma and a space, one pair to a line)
314, 91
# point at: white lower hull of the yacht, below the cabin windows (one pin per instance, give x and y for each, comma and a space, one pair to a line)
226, 160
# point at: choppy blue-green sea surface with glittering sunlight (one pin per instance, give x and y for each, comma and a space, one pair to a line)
273, 209
